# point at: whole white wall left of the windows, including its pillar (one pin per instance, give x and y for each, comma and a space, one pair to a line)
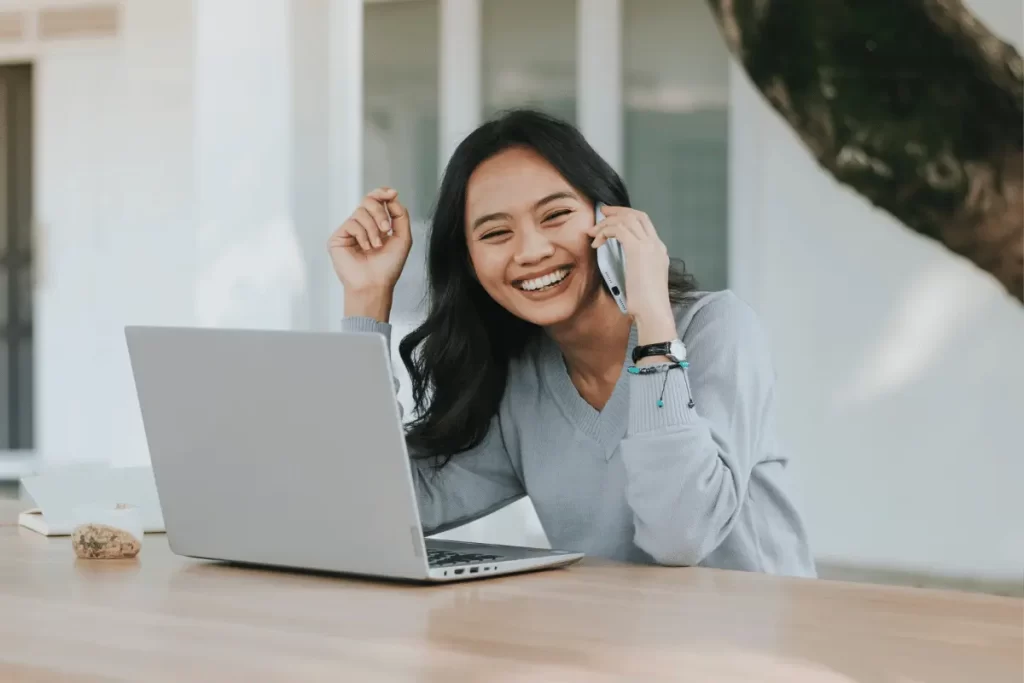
178, 184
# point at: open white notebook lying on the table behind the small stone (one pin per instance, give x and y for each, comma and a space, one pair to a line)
58, 494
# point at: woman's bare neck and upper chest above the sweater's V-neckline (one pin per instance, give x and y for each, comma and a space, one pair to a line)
593, 343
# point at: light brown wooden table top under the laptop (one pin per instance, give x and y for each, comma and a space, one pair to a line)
167, 619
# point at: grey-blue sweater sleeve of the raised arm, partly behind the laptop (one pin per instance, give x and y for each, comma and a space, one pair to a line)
473, 485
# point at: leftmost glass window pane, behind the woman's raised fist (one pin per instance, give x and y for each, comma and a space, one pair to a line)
401, 139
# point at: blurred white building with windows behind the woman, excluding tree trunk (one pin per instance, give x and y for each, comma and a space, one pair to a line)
168, 162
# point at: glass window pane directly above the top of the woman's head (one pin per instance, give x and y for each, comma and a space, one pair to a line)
530, 56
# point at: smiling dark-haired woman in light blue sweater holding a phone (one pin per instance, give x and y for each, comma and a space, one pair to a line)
529, 380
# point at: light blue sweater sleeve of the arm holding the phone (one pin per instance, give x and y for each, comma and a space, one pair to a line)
689, 468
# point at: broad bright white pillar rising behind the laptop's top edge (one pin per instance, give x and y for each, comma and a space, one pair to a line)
250, 263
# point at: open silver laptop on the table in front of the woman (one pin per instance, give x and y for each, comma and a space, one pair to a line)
287, 450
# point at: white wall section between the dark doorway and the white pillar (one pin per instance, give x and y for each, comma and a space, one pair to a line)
114, 211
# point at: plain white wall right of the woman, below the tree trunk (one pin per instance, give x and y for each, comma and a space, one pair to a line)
901, 365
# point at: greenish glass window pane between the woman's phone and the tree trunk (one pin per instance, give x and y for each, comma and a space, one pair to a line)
676, 91
